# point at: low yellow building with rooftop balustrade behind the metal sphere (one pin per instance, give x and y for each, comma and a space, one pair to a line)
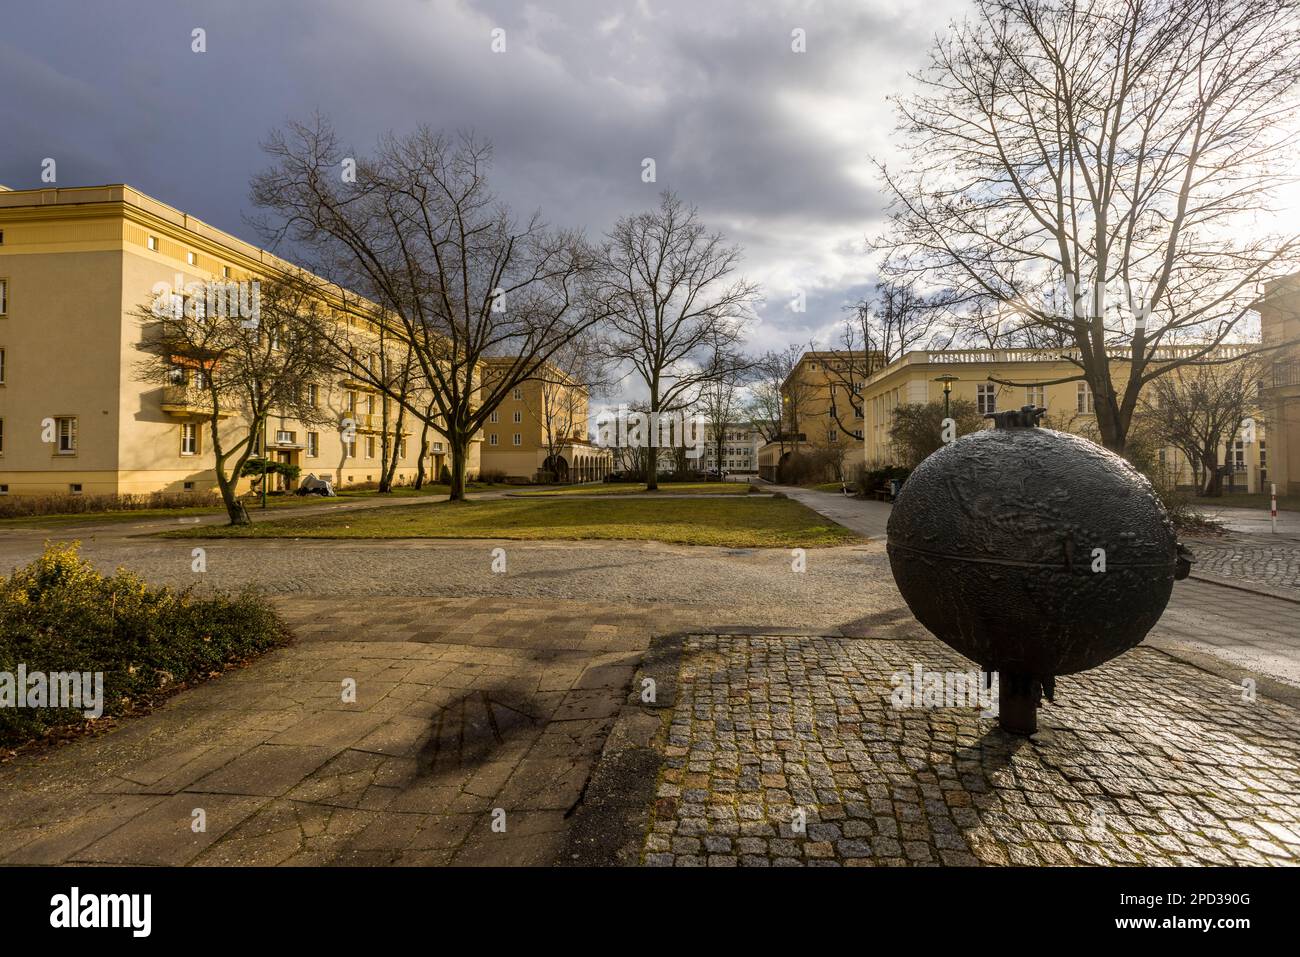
916, 378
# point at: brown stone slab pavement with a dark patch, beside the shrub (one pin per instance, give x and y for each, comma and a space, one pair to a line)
462, 708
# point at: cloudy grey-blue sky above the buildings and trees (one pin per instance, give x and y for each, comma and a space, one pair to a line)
773, 146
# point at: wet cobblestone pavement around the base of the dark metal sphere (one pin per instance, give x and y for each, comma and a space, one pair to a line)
1147, 761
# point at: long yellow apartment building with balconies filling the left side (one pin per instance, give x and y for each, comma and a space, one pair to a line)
76, 267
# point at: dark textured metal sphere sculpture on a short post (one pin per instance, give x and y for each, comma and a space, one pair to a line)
993, 544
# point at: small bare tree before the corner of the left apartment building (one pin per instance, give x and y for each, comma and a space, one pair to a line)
236, 373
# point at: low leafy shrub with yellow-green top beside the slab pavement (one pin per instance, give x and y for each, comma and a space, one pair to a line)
59, 614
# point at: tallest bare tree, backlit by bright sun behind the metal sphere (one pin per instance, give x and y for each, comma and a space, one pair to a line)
1089, 171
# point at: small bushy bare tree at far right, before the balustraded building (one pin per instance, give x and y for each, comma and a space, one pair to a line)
1199, 409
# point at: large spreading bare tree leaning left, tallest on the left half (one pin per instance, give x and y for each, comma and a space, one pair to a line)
449, 269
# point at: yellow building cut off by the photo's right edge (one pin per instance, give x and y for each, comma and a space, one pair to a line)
1280, 326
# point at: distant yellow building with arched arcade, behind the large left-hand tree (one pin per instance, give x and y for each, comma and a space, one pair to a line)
543, 428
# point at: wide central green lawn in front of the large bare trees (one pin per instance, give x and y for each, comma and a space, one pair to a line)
743, 522
